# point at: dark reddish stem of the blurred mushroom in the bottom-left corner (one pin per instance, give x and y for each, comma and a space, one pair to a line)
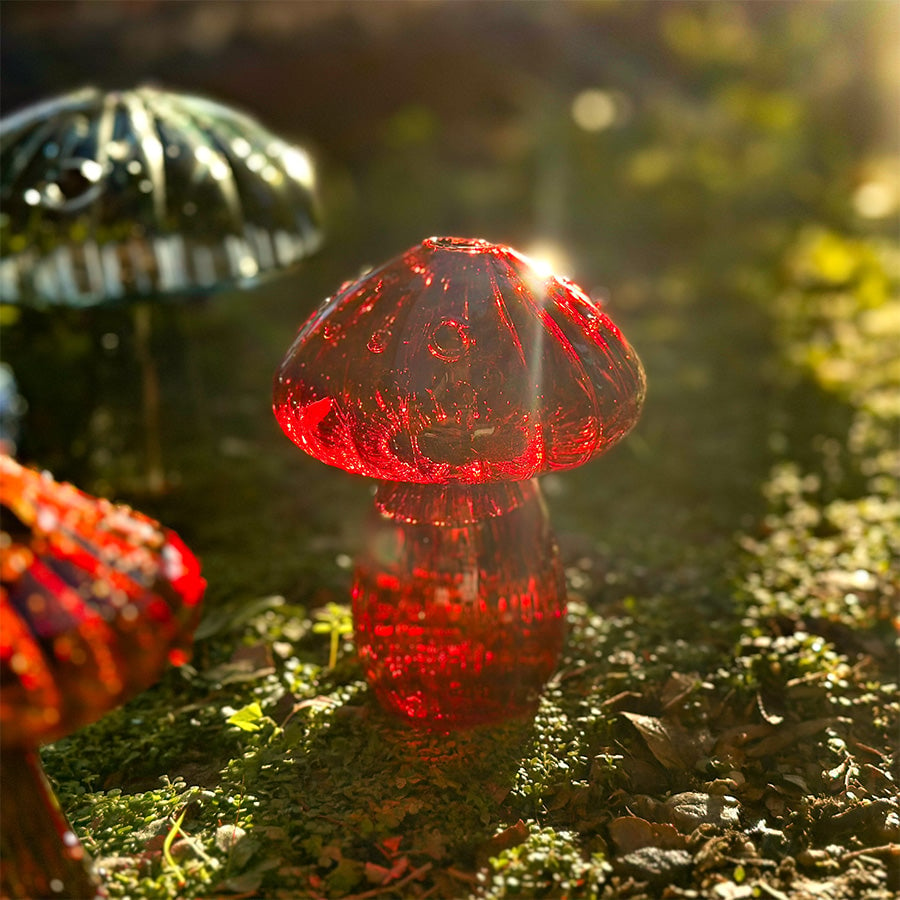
40, 855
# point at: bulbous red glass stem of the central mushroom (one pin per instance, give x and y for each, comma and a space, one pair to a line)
459, 602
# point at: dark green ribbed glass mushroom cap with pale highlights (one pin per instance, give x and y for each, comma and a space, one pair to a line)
122, 194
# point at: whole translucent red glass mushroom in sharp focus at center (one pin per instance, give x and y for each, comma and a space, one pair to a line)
454, 375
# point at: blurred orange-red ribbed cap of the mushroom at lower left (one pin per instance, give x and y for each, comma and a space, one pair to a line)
95, 600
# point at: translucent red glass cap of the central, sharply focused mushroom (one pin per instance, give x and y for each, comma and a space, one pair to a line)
458, 361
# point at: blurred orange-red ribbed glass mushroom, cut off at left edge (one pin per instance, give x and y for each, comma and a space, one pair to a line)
95, 600
